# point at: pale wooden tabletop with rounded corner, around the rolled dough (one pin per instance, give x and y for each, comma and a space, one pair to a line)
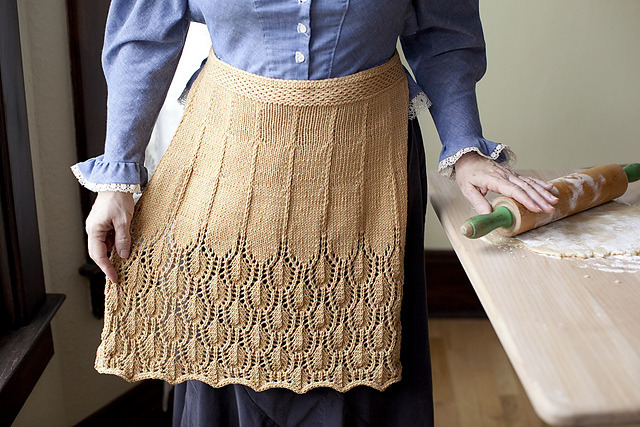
572, 333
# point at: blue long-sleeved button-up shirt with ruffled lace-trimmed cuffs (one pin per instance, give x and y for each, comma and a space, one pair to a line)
290, 39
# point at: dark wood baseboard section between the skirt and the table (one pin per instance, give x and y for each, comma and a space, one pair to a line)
449, 292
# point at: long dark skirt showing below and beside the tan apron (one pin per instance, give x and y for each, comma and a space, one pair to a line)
406, 403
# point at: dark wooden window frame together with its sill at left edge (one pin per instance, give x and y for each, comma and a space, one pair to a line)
26, 342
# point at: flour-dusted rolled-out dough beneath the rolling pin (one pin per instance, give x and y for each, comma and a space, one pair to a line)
606, 237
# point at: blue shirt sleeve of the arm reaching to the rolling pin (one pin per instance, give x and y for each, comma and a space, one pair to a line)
444, 45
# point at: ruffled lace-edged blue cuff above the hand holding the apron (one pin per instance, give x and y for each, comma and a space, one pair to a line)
96, 174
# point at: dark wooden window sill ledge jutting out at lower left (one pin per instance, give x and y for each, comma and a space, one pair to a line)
24, 354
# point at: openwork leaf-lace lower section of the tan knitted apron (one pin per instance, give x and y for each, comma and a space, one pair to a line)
229, 318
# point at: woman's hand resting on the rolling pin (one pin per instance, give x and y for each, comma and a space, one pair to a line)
476, 175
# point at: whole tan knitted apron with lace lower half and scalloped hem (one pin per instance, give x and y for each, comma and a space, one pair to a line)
268, 246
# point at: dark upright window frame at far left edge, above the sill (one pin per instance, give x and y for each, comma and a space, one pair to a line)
25, 287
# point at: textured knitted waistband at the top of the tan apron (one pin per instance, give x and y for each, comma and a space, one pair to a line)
332, 91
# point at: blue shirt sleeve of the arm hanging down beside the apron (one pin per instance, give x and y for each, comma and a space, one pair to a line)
142, 46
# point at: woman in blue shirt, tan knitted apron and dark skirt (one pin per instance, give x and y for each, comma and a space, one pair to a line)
276, 253
